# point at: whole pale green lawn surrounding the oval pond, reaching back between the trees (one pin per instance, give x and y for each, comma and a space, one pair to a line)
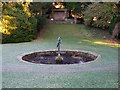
102, 73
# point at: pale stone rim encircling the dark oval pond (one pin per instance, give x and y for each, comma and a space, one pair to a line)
90, 52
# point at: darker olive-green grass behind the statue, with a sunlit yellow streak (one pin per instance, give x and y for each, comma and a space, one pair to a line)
77, 34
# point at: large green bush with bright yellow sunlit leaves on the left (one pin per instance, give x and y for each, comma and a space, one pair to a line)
17, 23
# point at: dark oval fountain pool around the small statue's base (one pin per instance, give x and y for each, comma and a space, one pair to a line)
69, 57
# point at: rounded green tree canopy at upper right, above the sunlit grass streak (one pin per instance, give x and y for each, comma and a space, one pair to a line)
99, 14
